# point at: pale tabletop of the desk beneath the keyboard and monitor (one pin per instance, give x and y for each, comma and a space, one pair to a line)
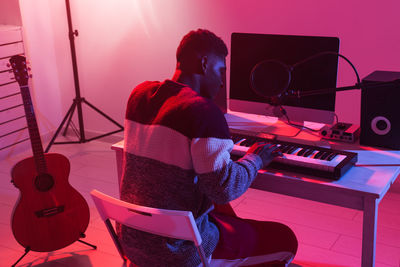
371, 180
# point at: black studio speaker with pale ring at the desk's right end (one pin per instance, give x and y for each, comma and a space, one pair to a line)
380, 110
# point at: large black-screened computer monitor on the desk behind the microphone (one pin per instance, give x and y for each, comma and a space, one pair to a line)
249, 49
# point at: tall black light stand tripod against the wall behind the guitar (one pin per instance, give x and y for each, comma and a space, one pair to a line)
77, 102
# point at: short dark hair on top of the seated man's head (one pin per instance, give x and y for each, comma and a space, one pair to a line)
198, 42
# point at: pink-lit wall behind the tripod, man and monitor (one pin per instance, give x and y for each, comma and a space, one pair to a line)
123, 42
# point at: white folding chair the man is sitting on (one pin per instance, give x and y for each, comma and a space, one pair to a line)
169, 223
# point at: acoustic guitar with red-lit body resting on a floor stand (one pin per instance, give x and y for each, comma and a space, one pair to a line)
49, 214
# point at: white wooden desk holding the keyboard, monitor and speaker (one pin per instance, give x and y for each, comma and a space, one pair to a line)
361, 188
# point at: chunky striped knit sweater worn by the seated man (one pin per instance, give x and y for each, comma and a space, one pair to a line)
176, 156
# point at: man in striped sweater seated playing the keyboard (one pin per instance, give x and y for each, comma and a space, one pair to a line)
176, 156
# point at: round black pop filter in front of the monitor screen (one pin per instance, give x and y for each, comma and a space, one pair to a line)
270, 79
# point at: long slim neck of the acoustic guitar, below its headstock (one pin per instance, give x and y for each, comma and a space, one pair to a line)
34, 135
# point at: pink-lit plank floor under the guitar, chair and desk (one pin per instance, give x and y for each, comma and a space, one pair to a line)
329, 236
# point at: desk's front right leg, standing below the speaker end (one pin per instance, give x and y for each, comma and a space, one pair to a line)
369, 232
